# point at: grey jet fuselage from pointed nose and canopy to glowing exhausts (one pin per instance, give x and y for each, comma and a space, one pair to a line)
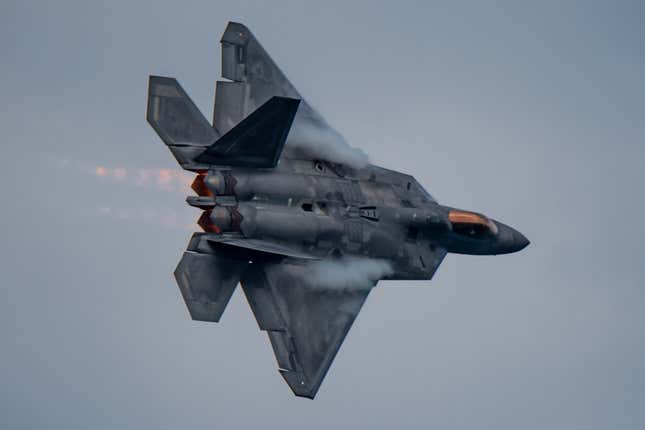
319, 209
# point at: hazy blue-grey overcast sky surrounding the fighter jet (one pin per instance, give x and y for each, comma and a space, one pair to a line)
531, 113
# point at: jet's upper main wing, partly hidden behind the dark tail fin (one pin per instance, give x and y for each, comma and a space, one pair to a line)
254, 79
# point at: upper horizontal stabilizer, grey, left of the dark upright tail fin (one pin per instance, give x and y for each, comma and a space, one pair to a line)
178, 121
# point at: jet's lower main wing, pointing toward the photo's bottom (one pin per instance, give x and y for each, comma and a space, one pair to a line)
306, 324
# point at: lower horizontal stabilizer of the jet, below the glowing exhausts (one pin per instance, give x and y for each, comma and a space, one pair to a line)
207, 279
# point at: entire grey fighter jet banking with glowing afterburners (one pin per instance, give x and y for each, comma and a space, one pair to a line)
295, 214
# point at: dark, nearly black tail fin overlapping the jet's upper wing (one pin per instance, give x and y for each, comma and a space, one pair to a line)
258, 139
